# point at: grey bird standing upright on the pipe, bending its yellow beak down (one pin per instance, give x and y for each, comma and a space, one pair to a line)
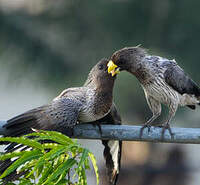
162, 79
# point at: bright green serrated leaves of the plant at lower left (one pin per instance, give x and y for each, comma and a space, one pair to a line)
52, 159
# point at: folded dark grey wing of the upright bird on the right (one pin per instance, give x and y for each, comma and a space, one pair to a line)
181, 82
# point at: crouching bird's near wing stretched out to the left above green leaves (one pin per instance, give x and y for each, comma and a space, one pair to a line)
58, 116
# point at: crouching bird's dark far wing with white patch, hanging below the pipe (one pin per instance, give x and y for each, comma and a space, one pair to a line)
112, 150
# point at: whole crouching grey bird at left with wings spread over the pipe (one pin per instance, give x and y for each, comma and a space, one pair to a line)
89, 103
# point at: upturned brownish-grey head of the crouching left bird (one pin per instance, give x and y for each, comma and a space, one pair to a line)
99, 75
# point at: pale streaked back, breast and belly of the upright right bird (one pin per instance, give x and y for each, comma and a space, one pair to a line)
155, 85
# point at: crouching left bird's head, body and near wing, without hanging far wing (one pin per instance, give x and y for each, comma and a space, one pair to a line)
88, 103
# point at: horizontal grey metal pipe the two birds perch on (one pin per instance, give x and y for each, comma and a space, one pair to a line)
132, 133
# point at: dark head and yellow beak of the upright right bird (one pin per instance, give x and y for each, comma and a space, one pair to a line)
125, 59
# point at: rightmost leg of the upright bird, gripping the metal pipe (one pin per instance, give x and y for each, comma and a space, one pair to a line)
166, 125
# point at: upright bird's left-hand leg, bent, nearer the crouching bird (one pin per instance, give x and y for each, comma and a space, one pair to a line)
155, 107
